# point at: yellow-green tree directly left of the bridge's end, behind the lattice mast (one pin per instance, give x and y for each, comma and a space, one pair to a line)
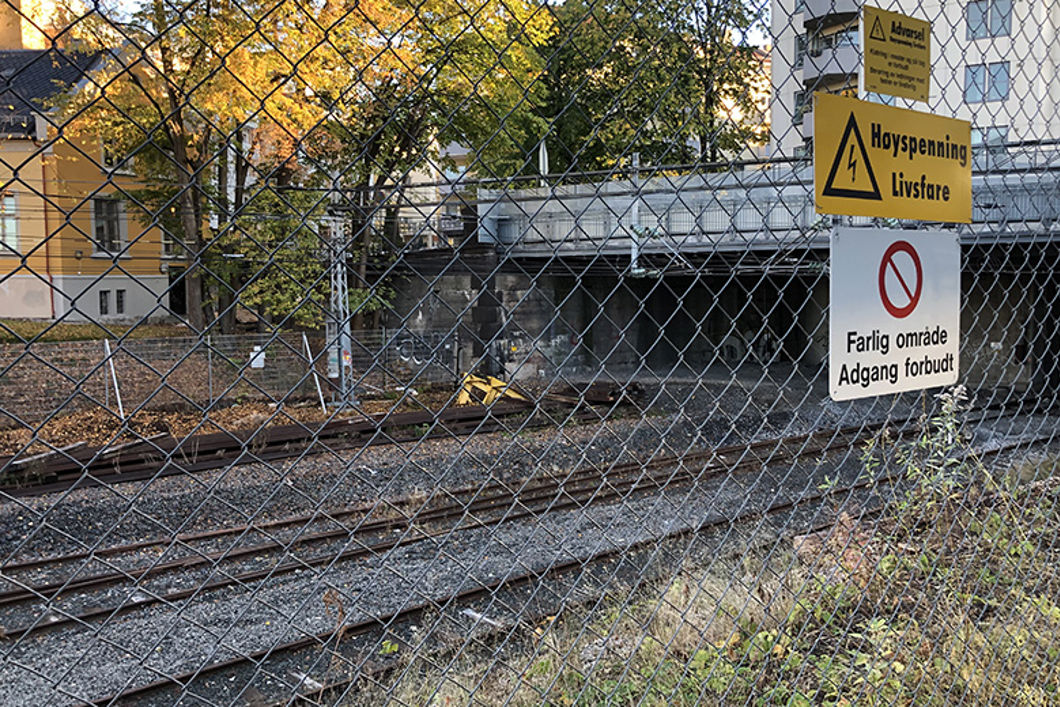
464, 77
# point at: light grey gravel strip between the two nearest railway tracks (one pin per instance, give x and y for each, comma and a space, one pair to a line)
90, 662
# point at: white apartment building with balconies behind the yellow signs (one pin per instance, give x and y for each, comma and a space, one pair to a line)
995, 64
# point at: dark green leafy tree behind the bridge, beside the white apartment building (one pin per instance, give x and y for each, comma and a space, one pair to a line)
675, 81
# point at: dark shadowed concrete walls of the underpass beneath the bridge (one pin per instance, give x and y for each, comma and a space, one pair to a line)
687, 325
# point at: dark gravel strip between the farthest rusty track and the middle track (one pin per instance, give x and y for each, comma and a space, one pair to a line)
682, 417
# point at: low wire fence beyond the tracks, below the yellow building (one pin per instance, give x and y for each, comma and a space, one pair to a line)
55, 380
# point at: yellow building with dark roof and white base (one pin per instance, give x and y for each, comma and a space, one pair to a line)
74, 245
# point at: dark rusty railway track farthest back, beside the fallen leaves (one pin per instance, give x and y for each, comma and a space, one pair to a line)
79, 466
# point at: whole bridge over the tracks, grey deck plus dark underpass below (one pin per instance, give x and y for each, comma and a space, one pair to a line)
725, 271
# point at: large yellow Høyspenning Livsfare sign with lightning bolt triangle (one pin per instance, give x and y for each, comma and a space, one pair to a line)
875, 161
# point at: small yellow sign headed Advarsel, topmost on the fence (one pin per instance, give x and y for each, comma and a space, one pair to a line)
897, 55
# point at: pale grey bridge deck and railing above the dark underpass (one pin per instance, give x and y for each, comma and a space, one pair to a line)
761, 209
